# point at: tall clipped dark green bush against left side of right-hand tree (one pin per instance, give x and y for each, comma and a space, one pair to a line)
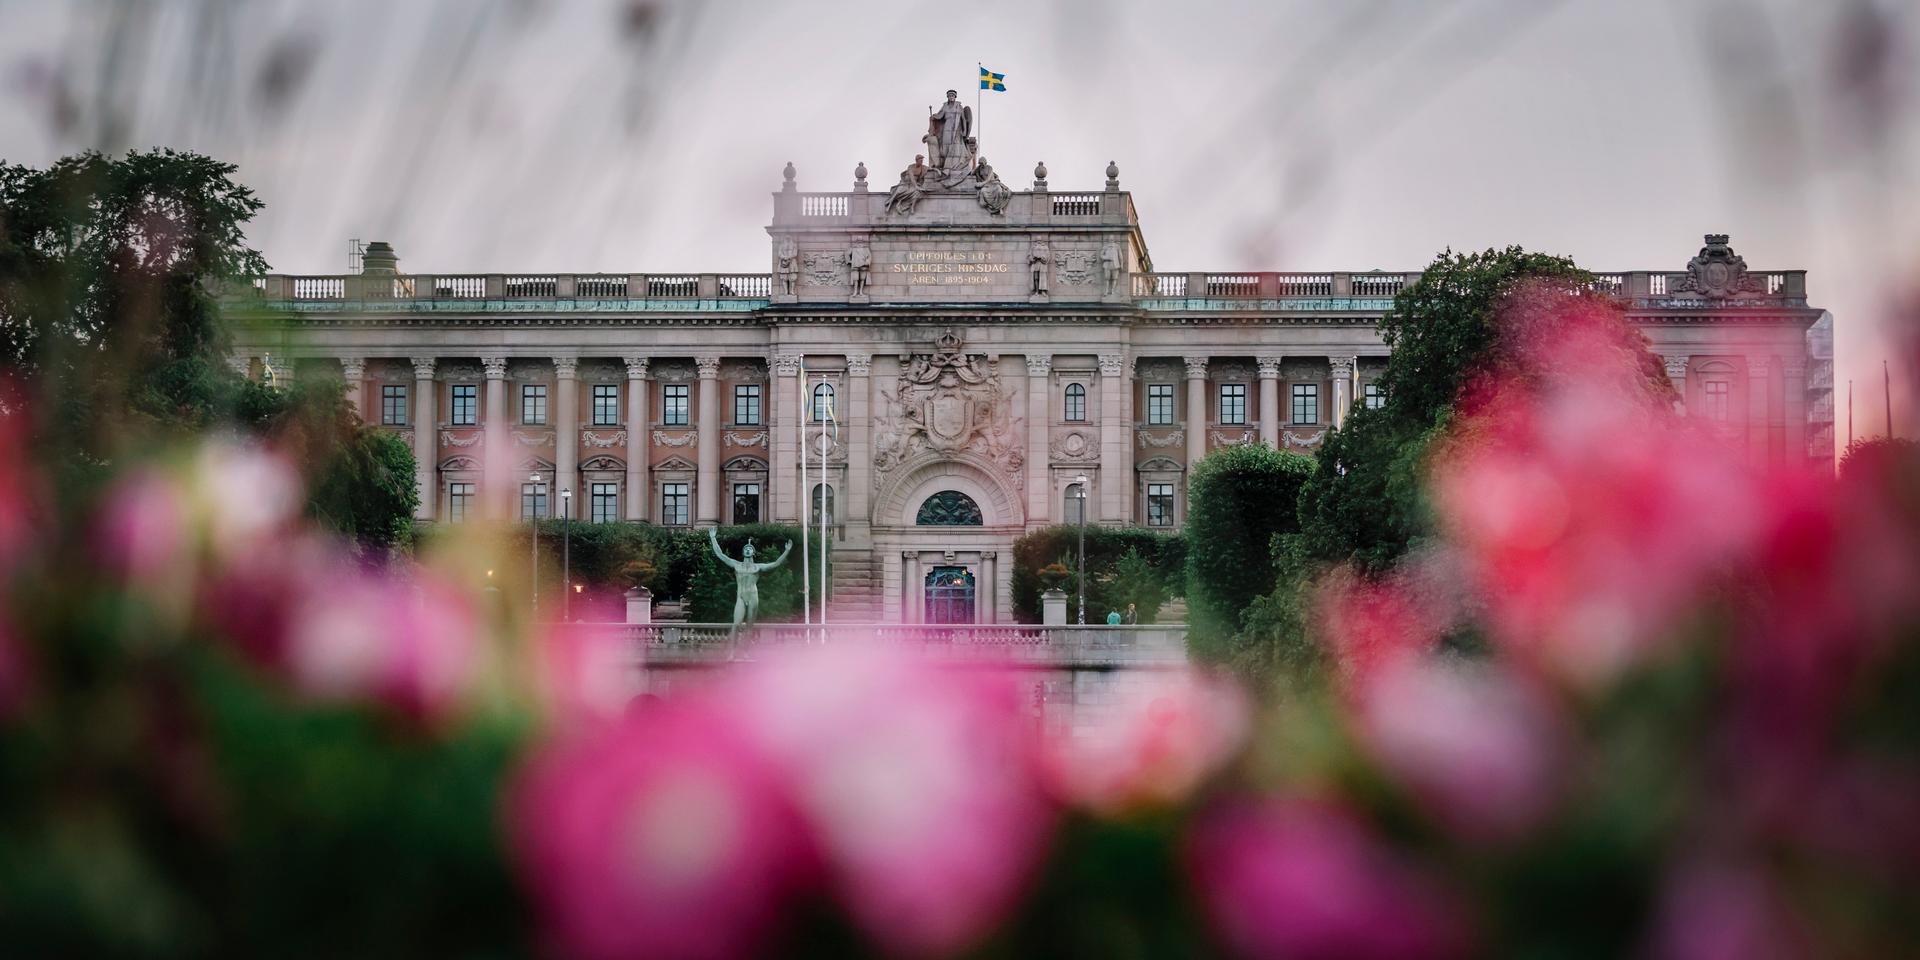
1237, 502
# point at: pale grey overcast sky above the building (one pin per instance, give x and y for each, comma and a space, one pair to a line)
1330, 135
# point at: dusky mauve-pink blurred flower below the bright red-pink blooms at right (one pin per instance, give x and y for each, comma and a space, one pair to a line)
1477, 744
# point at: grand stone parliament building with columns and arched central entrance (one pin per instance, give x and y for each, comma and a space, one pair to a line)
982, 348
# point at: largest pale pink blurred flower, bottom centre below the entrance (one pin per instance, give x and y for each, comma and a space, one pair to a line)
915, 780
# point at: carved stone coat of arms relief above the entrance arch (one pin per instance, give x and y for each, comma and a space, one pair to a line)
944, 404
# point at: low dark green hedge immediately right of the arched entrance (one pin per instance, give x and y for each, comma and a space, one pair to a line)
1164, 556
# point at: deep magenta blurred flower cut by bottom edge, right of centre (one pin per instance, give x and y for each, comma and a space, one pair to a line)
1301, 880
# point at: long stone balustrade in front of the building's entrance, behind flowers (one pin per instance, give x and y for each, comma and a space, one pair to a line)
1084, 648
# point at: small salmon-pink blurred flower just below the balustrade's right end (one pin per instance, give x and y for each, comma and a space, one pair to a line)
1159, 744
